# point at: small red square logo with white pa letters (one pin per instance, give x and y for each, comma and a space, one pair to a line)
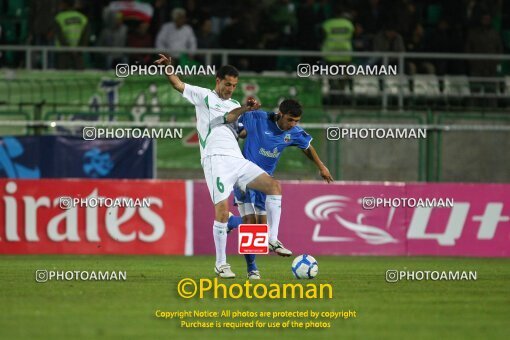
253, 239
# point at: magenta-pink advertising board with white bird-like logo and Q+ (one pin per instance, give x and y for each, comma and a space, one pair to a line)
382, 219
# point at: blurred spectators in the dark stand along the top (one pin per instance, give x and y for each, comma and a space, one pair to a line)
456, 26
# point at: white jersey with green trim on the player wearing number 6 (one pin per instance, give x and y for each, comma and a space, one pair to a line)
216, 137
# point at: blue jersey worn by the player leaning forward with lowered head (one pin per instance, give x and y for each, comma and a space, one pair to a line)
266, 141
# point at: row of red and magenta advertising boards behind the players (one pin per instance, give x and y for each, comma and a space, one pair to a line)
317, 218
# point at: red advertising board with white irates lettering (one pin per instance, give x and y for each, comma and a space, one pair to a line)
33, 221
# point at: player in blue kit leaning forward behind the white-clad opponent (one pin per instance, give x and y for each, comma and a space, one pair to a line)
267, 135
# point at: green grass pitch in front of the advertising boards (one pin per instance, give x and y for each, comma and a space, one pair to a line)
88, 309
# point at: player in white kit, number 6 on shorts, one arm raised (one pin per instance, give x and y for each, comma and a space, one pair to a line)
221, 158
